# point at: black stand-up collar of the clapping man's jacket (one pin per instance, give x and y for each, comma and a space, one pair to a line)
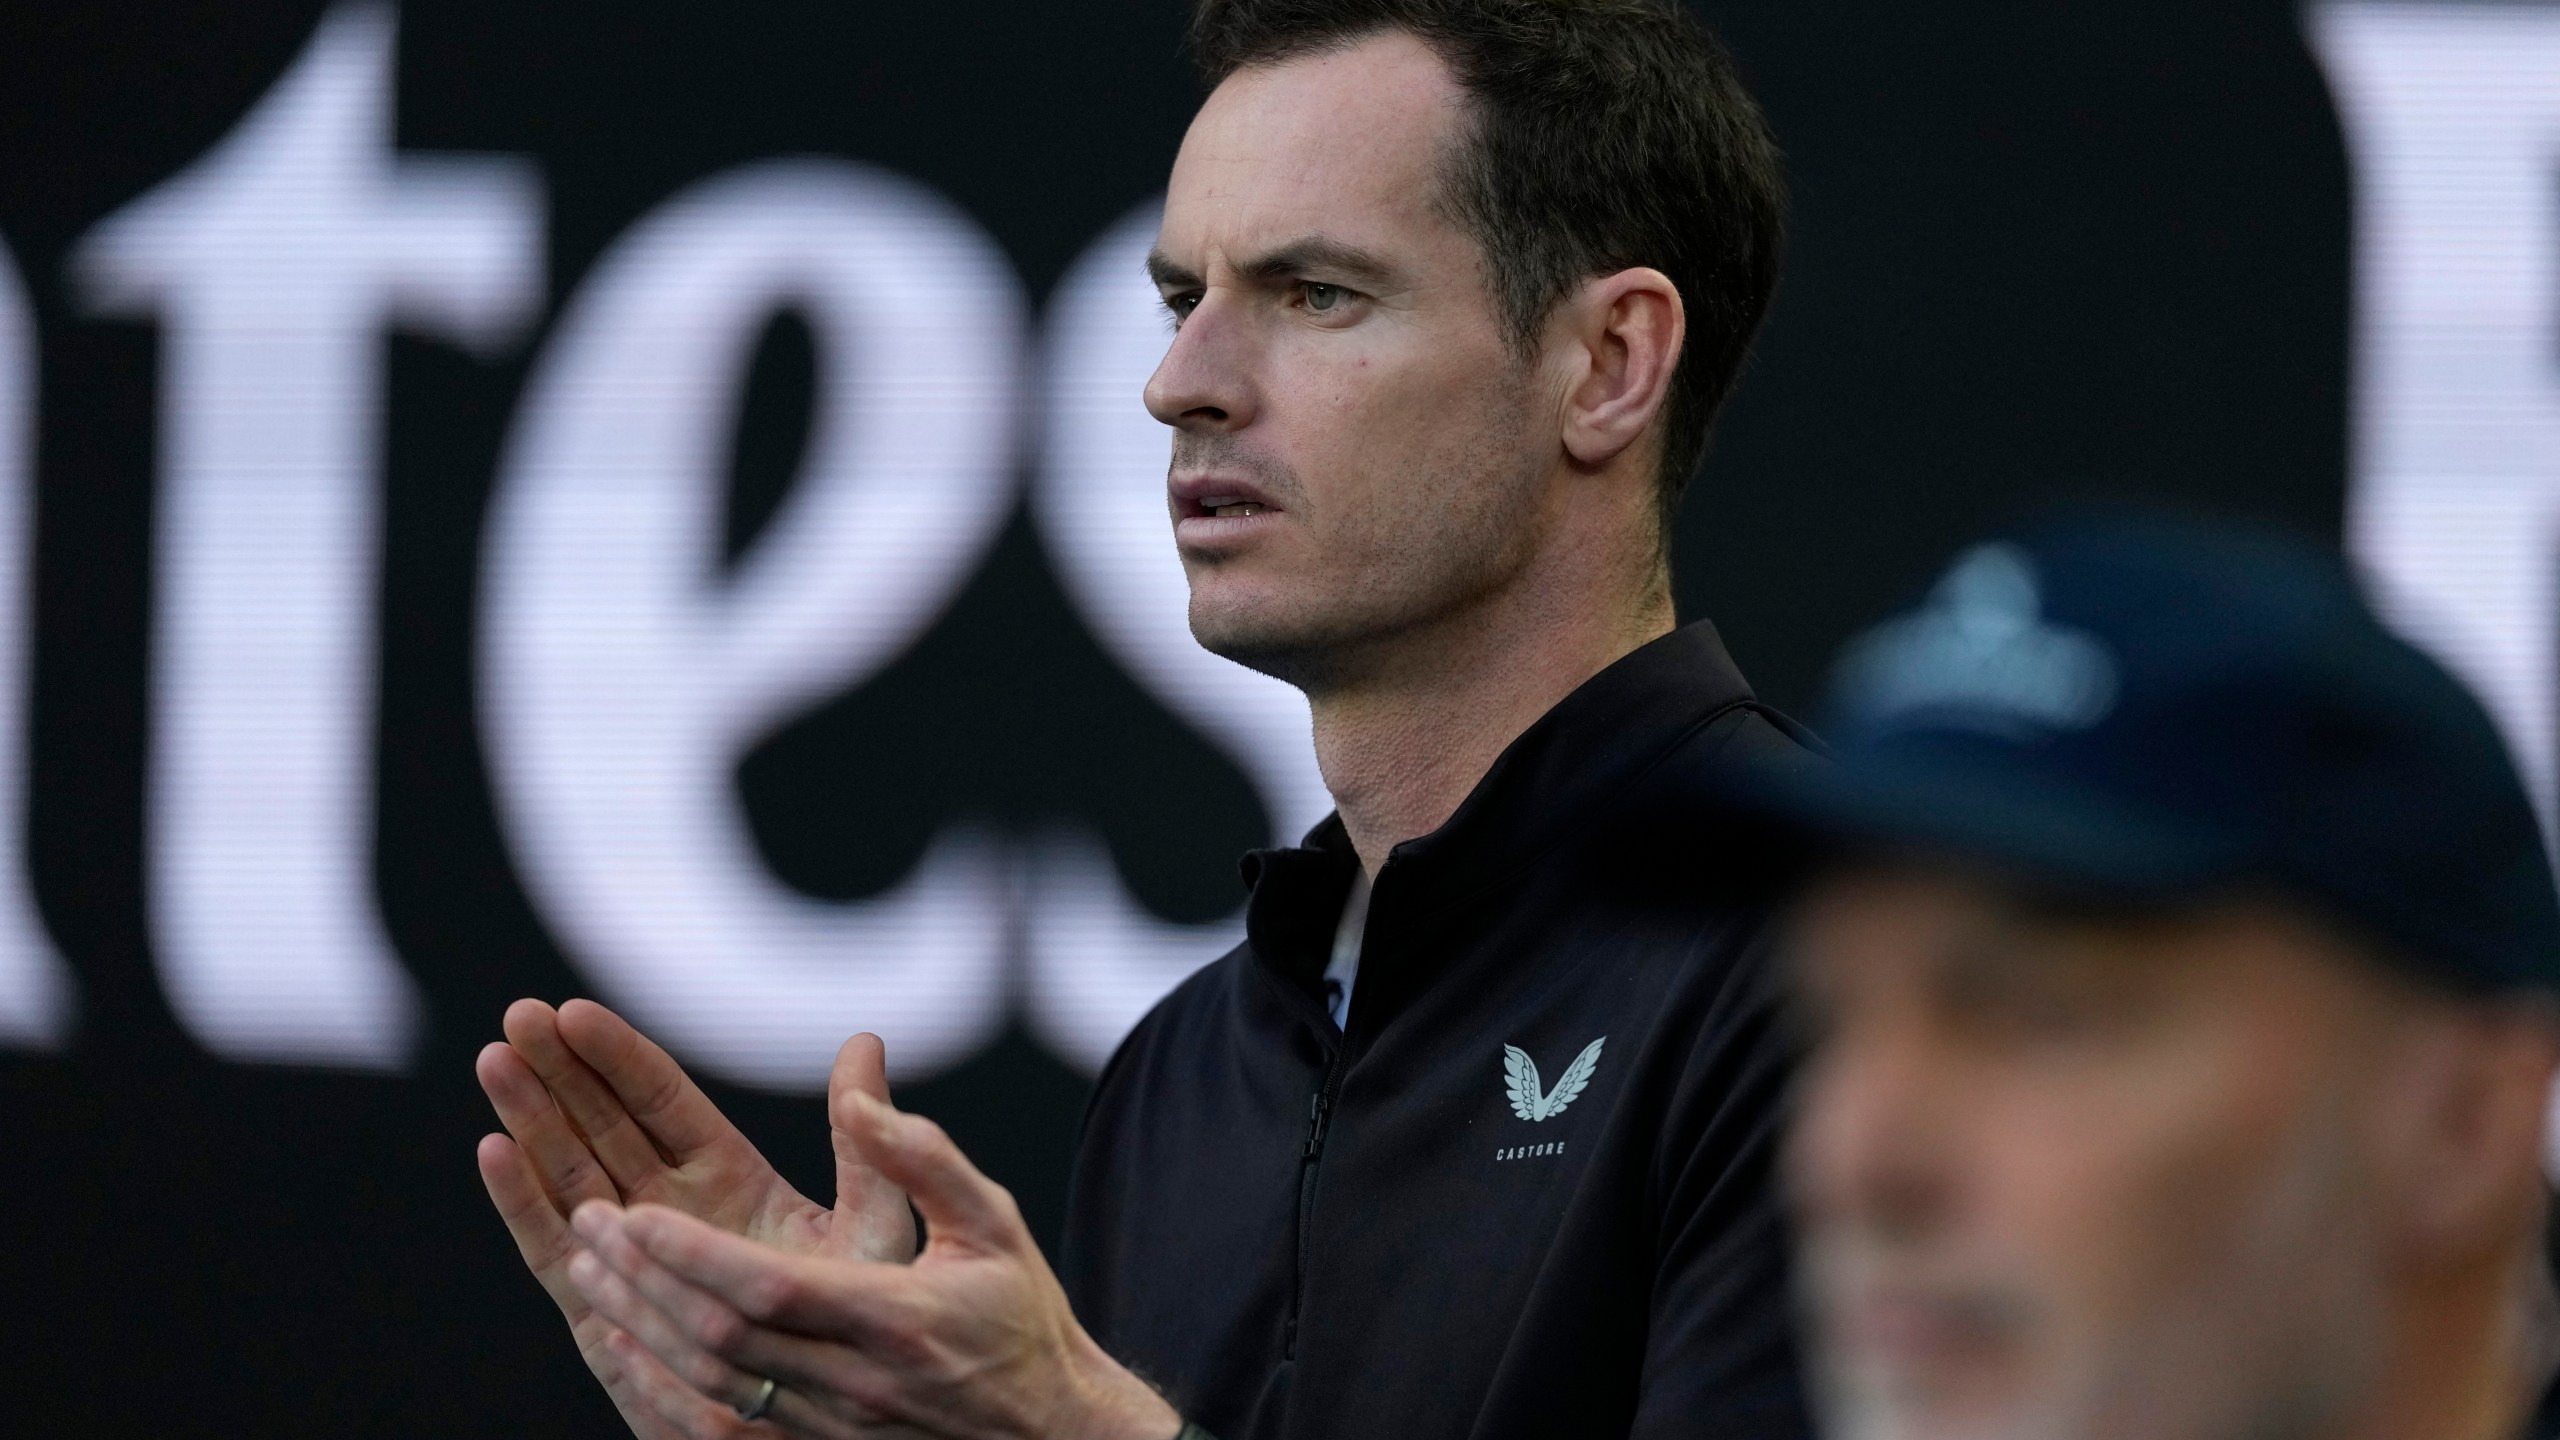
1558, 780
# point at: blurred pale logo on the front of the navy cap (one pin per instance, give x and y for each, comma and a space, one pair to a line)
1980, 657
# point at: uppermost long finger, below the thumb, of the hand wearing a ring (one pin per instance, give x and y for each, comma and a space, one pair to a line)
659, 1247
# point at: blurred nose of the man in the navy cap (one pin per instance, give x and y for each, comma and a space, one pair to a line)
1865, 1147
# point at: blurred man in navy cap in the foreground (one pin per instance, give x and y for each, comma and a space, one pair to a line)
2182, 972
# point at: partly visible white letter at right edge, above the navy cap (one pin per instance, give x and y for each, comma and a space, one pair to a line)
2454, 119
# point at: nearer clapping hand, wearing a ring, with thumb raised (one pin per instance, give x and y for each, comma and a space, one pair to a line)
969, 1341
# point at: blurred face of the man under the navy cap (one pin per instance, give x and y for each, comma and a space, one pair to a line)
2083, 1177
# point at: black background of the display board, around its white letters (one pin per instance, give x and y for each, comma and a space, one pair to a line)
2044, 250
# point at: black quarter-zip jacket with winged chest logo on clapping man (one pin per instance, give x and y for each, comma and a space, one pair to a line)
1437, 1223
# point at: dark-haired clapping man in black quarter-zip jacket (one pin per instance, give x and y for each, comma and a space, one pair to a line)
1450, 1147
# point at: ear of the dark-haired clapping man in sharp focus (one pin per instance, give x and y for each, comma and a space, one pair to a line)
1622, 337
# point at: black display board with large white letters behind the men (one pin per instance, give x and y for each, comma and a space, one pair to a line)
654, 501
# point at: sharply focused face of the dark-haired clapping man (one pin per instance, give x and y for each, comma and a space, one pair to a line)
1356, 452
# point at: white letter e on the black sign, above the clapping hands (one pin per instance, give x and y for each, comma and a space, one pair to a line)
623, 678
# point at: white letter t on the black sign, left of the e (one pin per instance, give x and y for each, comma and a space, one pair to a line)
275, 263
